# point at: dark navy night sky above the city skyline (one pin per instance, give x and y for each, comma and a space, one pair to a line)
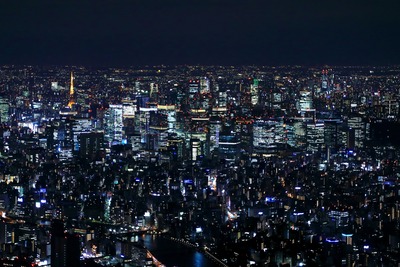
149, 32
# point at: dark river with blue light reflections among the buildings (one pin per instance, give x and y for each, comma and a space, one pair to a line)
171, 253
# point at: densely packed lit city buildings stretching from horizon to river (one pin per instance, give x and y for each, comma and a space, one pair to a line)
258, 166
